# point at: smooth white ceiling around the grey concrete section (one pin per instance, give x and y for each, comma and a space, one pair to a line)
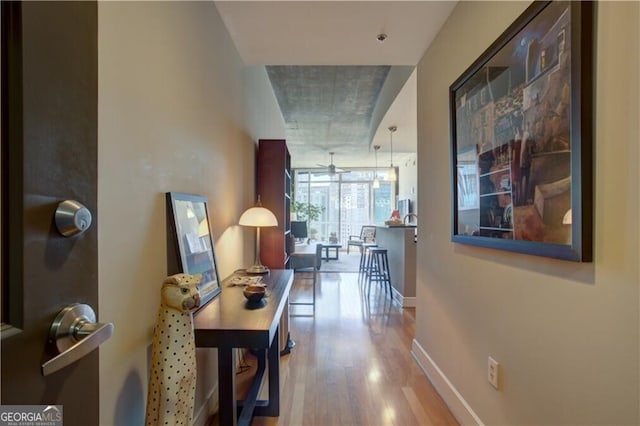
342, 33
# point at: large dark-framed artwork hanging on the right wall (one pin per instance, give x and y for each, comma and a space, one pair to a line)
521, 137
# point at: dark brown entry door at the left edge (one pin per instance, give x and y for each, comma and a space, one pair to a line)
49, 154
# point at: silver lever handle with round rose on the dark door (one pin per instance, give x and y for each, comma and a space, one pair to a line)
75, 333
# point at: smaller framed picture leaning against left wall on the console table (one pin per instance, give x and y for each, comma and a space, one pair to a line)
190, 247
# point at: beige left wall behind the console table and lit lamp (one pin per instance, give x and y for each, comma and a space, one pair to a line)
178, 111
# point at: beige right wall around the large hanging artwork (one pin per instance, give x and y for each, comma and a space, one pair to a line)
566, 334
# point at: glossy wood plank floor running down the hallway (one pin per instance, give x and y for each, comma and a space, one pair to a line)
352, 363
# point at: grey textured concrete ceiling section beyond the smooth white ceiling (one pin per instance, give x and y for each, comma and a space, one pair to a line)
334, 108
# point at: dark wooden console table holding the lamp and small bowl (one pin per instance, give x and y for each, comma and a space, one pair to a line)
225, 323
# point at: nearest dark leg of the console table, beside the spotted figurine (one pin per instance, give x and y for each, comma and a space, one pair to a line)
227, 386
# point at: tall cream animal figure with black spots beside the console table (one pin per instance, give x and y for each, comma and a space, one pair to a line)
172, 379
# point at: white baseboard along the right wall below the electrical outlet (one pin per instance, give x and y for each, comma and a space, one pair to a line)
456, 403
